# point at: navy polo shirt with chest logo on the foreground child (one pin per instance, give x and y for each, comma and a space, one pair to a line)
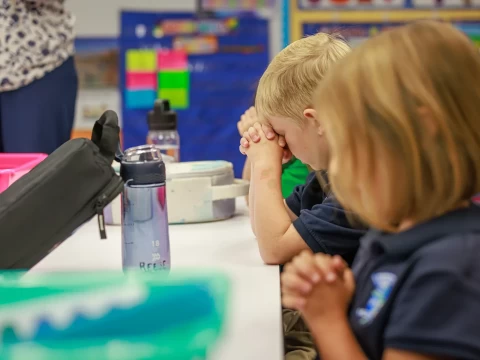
419, 290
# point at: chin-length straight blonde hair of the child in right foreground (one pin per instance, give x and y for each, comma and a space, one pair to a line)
403, 122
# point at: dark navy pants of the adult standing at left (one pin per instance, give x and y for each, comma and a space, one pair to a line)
38, 118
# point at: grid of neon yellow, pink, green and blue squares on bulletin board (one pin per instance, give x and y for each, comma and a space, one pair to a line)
152, 74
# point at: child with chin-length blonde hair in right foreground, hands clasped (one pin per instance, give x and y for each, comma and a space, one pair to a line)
403, 123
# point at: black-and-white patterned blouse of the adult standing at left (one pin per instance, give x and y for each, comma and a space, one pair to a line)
36, 37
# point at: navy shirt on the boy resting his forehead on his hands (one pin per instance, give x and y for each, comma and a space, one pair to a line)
322, 222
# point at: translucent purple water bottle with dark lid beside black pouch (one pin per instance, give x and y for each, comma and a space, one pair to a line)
145, 240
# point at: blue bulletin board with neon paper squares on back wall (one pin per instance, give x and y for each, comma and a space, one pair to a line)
207, 68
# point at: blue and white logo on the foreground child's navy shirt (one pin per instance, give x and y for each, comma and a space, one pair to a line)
383, 284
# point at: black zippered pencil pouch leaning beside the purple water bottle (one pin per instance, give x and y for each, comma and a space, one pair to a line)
72, 185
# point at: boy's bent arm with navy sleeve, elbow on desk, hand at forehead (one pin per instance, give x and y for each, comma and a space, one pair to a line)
283, 231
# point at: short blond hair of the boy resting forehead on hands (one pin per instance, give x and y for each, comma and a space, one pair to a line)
286, 87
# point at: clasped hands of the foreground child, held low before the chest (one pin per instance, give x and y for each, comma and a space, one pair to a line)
318, 285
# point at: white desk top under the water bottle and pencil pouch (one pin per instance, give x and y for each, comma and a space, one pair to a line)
254, 328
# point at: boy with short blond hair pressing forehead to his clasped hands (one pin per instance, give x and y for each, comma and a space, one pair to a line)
310, 218
